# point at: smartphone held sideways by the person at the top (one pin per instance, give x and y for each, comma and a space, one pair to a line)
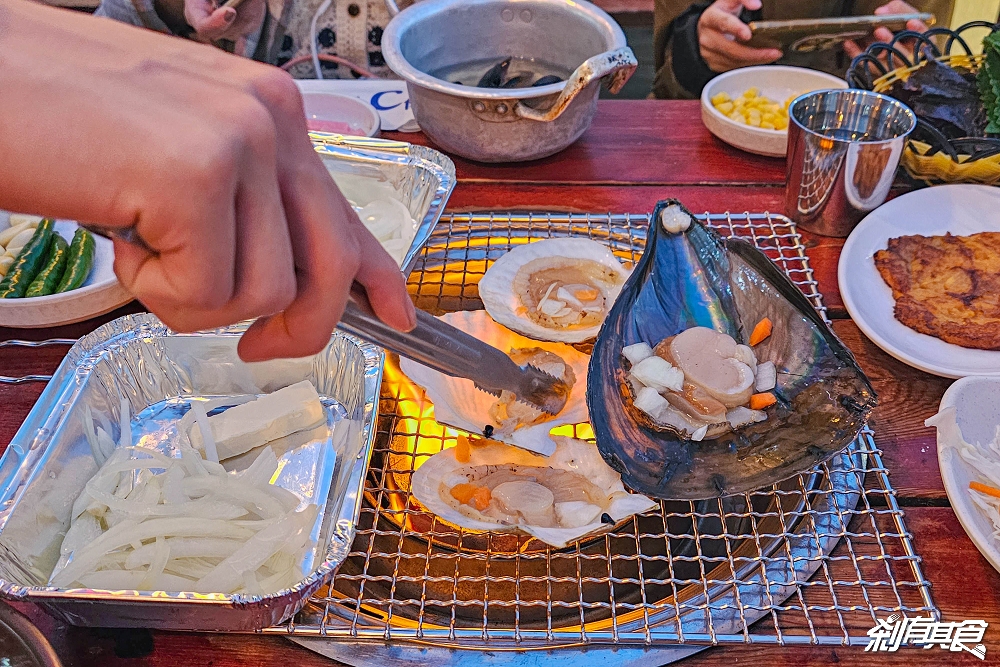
808, 35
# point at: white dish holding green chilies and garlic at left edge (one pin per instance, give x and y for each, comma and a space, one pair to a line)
101, 294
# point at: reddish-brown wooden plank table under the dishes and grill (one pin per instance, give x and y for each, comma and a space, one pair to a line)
635, 153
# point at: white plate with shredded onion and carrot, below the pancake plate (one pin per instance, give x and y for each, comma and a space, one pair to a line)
977, 407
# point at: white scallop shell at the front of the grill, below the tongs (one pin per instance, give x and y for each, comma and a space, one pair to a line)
433, 479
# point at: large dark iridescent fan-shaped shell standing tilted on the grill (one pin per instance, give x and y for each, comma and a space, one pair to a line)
693, 277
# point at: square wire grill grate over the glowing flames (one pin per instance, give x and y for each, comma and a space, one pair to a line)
811, 560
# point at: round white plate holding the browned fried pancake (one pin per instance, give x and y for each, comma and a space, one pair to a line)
959, 209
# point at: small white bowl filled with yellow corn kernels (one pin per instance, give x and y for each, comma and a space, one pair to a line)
777, 82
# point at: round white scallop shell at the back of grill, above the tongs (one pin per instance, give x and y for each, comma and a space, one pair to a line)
500, 298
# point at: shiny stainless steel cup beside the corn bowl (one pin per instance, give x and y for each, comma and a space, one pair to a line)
843, 150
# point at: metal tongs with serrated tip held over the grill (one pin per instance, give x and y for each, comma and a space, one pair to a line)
444, 348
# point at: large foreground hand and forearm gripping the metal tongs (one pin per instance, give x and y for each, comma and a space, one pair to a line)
206, 155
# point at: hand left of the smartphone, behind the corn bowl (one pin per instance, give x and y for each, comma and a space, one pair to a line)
720, 32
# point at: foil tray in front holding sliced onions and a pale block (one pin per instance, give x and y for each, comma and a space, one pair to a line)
158, 372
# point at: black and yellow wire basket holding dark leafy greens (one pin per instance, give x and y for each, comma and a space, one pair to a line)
930, 156
